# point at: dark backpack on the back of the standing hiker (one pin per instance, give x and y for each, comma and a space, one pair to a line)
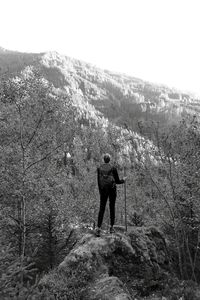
106, 178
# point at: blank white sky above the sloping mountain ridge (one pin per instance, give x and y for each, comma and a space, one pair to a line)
155, 40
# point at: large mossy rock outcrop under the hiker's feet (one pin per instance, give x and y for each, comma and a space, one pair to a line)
118, 266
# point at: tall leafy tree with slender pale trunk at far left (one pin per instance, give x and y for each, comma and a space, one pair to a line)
35, 122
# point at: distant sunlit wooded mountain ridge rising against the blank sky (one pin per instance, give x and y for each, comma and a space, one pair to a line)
120, 98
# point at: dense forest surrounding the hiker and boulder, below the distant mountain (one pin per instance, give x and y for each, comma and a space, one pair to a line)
50, 151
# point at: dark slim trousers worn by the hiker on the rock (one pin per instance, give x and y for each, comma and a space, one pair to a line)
104, 195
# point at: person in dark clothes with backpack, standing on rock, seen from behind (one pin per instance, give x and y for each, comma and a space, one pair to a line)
107, 177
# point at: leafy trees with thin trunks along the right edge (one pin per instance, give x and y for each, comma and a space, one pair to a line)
174, 179
